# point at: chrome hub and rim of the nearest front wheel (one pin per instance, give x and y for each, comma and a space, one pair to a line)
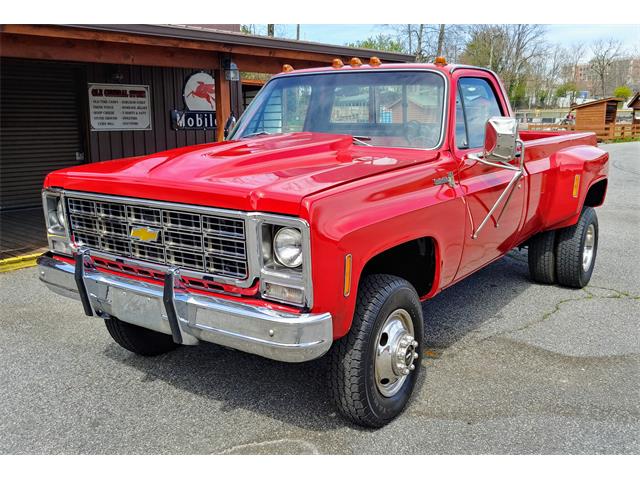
395, 352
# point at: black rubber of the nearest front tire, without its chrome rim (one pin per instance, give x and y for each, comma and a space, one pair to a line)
352, 367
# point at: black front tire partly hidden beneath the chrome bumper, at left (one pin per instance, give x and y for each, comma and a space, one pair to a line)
139, 340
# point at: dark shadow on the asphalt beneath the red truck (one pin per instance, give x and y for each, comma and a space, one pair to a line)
297, 393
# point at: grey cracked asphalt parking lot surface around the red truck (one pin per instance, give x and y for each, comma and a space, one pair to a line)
511, 367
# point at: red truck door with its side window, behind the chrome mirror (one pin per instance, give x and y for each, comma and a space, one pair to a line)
477, 99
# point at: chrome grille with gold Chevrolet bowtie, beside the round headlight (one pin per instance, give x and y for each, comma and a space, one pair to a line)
203, 243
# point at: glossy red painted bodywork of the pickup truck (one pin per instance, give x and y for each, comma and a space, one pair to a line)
364, 200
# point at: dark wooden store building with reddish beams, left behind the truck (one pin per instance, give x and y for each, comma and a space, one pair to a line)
64, 88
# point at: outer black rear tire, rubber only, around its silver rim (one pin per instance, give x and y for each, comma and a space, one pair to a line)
569, 251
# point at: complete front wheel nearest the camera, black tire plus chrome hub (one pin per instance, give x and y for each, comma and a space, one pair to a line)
374, 368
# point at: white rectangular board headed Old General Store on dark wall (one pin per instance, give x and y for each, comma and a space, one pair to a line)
115, 107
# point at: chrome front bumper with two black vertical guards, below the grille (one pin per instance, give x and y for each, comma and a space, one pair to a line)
188, 317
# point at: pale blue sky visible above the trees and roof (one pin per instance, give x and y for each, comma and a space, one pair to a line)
565, 35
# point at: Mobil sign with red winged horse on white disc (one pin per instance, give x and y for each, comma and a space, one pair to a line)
200, 102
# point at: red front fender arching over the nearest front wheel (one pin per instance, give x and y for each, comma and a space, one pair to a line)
371, 217
